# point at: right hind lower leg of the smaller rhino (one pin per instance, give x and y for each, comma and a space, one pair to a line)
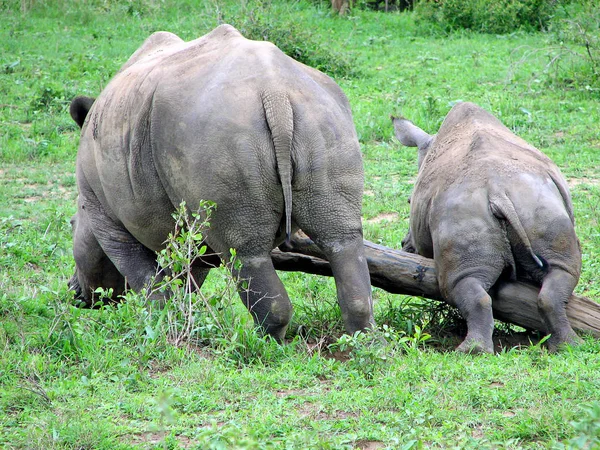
556, 289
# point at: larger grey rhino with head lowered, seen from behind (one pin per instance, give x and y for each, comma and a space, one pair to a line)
232, 121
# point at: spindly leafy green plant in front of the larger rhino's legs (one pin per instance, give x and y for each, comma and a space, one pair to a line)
191, 317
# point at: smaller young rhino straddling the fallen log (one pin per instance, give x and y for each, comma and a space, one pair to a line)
487, 204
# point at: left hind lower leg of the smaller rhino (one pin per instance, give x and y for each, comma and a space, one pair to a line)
475, 305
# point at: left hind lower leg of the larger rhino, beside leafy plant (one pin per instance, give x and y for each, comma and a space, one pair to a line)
263, 294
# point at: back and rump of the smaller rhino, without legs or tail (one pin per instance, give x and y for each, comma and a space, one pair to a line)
474, 158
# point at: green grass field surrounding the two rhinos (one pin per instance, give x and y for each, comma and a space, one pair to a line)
110, 378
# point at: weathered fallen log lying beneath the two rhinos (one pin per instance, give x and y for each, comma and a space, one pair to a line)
408, 274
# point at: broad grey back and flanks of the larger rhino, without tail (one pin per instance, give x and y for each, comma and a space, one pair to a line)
185, 121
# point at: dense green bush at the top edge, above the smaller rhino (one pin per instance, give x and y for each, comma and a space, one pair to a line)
486, 16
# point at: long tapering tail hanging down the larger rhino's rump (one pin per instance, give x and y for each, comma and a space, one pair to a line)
280, 119
